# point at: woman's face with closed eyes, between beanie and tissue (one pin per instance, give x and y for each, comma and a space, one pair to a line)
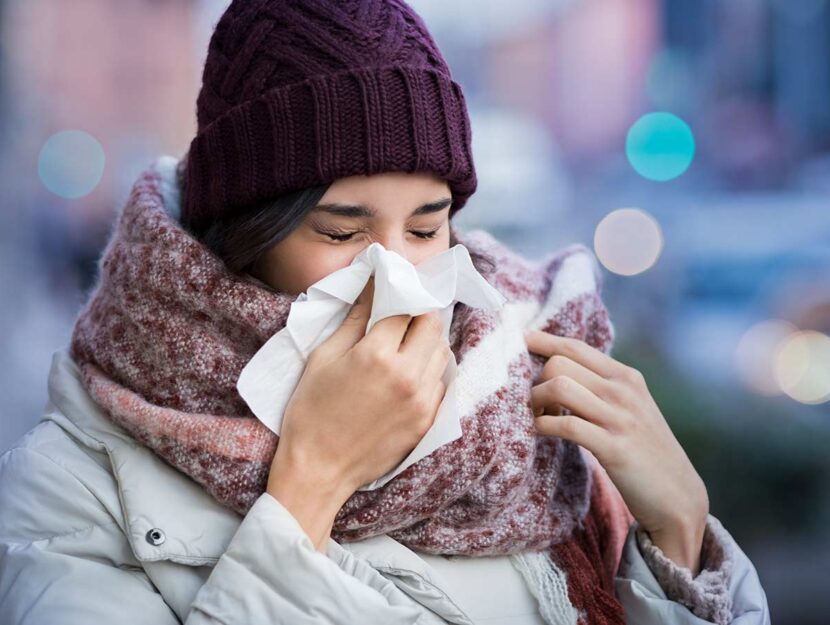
407, 213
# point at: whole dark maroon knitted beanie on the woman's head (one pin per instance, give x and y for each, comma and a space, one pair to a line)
297, 93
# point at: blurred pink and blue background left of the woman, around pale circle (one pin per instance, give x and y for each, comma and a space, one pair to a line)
125, 72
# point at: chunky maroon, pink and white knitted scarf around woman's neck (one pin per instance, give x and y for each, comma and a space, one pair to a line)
167, 328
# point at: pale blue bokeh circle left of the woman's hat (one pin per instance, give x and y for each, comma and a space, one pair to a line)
71, 163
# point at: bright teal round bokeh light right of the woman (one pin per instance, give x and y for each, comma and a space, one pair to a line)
660, 146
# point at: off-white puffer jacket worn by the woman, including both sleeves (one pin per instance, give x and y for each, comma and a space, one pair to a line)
95, 528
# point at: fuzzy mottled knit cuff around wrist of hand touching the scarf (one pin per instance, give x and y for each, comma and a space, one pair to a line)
707, 594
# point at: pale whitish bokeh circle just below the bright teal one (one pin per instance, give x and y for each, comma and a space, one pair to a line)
628, 241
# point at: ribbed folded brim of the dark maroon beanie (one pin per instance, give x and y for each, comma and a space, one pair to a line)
357, 121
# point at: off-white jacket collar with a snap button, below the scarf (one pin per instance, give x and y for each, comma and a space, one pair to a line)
197, 528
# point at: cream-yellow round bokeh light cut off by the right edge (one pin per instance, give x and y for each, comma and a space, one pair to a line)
803, 366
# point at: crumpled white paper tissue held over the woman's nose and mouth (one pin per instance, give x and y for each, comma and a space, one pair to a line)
270, 377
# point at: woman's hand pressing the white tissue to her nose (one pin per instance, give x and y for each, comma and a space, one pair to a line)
364, 402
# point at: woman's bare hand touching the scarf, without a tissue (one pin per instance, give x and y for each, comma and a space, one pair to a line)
616, 419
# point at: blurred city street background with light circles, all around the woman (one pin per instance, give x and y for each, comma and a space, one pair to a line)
687, 143
